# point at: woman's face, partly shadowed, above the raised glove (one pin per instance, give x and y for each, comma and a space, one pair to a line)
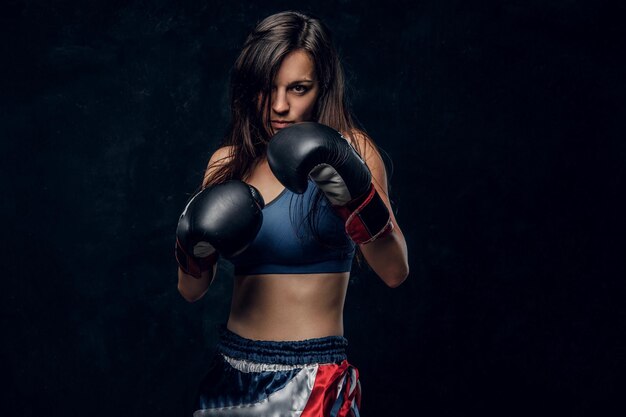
294, 92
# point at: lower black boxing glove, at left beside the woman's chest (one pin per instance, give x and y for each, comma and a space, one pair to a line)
224, 218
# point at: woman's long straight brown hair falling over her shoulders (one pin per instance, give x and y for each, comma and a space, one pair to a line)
251, 83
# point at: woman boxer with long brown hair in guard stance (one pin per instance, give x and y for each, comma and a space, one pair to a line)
293, 192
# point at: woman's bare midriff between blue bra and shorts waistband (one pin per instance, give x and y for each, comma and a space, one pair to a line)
288, 307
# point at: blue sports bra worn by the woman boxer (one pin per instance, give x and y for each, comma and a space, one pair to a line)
286, 244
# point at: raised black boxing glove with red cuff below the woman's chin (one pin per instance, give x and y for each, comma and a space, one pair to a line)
317, 151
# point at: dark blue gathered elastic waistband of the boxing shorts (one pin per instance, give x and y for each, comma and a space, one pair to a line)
321, 350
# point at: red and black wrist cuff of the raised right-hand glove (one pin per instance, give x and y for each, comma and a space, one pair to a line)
367, 218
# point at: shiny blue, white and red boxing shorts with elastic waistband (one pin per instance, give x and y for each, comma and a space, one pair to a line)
308, 378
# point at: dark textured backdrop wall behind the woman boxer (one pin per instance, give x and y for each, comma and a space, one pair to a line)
504, 122
